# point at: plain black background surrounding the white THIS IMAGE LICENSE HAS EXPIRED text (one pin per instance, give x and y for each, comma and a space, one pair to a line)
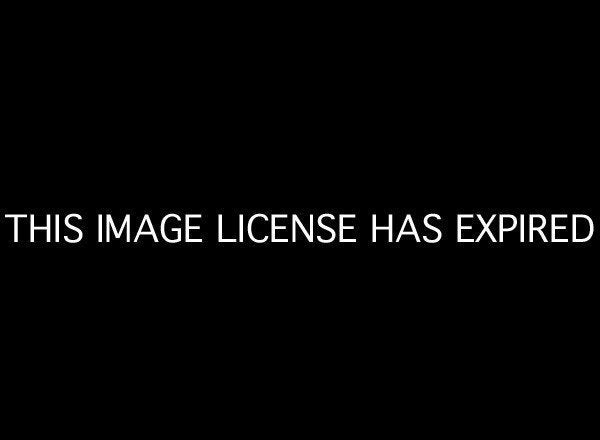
368, 113
